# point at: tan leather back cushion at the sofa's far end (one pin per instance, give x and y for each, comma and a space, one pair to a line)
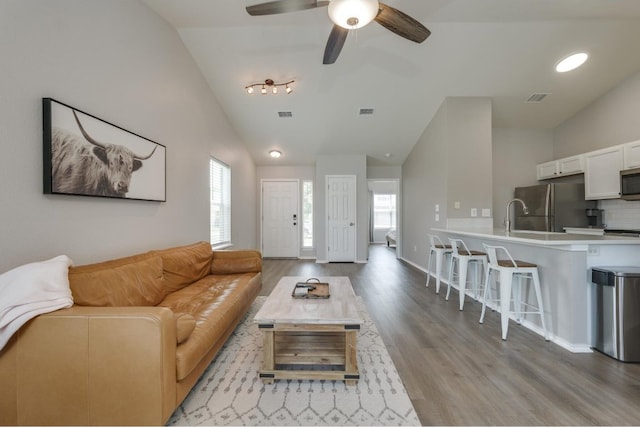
184, 265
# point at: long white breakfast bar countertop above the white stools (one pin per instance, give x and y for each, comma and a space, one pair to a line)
542, 238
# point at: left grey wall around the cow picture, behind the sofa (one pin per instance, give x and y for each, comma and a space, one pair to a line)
121, 62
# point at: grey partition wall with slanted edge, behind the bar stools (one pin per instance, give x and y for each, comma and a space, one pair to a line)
452, 161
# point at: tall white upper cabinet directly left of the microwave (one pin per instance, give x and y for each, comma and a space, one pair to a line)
602, 173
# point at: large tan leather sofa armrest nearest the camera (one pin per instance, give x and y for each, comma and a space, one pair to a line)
93, 365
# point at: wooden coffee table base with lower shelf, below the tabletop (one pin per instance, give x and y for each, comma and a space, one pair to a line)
310, 351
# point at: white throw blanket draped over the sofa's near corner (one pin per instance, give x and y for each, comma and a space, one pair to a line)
30, 290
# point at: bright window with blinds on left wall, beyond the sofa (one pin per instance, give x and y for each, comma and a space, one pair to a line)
220, 212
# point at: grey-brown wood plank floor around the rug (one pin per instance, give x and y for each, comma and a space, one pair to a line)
458, 372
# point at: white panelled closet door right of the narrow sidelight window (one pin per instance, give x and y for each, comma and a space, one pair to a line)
341, 218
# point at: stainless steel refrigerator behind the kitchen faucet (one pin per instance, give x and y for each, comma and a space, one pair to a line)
551, 207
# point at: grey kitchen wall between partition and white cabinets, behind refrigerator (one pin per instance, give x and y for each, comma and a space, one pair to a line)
516, 152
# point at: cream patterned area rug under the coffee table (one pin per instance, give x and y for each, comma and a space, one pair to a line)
230, 392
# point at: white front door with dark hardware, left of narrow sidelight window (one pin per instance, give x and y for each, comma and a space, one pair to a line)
280, 219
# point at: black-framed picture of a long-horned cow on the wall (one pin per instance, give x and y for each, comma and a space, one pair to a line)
87, 156
